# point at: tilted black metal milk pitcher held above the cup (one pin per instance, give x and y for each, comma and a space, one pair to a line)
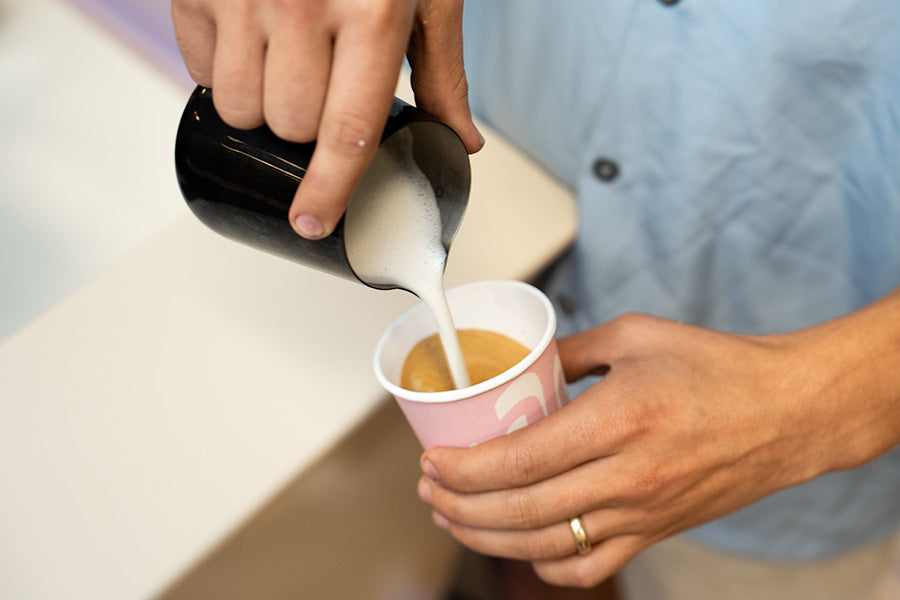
241, 183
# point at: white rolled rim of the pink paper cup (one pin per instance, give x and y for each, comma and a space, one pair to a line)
401, 393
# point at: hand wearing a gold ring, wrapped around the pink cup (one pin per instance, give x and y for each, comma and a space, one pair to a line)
688, 424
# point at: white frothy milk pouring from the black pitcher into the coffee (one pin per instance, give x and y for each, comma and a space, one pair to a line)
393, 237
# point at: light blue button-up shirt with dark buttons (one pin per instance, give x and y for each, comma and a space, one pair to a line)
737, 164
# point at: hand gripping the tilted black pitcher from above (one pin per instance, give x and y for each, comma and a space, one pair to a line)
326, 71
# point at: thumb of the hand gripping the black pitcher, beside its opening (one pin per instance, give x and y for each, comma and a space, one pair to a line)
438, 76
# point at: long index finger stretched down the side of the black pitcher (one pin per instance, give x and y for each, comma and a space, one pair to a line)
365, 68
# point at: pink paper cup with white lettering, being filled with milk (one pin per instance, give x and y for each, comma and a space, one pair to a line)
525, 393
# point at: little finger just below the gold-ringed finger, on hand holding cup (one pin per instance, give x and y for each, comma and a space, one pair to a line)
588, 570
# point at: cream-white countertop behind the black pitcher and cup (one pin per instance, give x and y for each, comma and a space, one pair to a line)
162, 382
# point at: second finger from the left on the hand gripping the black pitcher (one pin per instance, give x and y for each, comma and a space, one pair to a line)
238, 68
